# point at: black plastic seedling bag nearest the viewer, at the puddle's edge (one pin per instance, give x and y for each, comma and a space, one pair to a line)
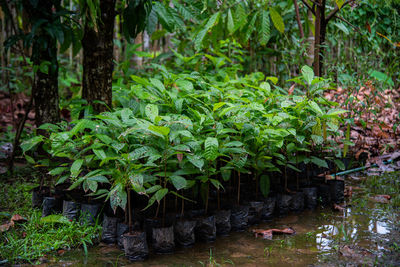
135, 246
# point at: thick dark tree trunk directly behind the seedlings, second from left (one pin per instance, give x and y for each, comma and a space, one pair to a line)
97, 46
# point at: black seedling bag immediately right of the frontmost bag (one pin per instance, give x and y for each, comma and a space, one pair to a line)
163, 240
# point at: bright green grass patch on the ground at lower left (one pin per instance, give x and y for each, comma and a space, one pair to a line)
29, 241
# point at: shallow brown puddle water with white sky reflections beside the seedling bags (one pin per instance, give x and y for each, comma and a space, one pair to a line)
319, 234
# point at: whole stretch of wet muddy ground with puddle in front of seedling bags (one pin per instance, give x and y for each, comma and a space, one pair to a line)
365, 233
